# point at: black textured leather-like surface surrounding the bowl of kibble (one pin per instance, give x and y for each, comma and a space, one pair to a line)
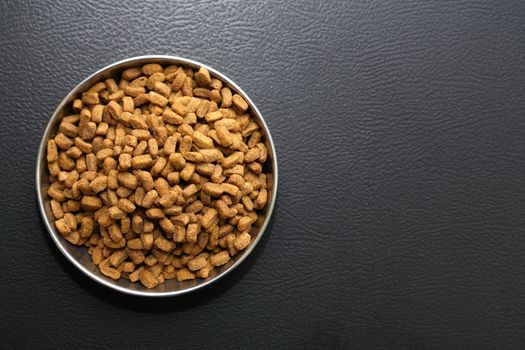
400, 131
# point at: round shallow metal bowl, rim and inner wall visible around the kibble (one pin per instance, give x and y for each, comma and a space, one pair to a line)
79, 255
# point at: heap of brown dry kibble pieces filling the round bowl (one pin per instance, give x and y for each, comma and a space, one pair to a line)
160, 174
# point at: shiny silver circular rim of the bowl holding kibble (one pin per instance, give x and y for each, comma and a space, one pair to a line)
40, 164
